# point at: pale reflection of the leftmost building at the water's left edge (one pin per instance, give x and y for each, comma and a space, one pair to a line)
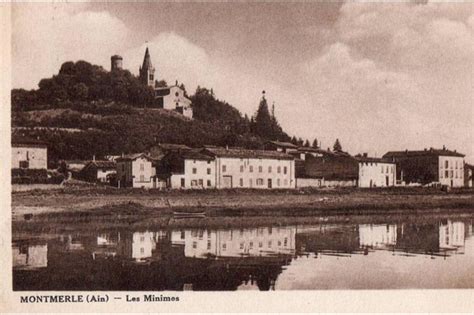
30, 256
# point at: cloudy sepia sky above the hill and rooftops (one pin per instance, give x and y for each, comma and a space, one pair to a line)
377, 76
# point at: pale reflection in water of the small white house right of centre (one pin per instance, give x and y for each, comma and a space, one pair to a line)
377, 236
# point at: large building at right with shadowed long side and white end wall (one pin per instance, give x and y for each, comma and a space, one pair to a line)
429, 166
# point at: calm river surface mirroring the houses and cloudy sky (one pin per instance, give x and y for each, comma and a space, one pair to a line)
262, 258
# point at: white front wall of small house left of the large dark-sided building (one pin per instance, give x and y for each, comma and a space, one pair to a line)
375, 174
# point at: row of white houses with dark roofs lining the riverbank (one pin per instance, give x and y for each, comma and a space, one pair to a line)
279, 166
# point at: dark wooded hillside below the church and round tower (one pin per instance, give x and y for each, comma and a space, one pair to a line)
109, 115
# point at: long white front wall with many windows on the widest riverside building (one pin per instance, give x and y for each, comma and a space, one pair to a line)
233, 173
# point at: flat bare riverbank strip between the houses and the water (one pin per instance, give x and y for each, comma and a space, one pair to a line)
241, 202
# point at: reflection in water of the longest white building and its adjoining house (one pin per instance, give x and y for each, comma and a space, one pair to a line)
236, 242
